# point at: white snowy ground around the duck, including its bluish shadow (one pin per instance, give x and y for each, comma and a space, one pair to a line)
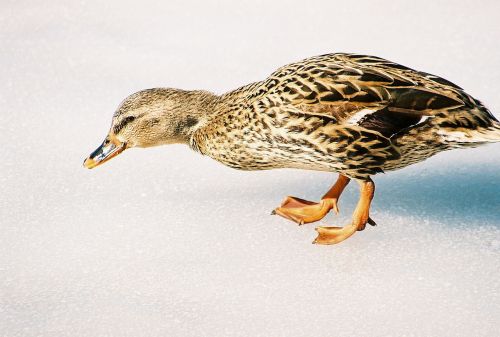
164, 242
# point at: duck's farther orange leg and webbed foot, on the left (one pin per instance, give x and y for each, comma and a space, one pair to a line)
303, 211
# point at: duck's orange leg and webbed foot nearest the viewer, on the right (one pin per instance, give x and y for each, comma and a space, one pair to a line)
360, 217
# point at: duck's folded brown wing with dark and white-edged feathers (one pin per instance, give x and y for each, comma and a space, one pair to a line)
368, 91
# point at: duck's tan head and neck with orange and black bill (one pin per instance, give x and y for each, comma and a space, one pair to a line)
150, 118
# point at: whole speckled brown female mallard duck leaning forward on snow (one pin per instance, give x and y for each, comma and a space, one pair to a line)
352, 114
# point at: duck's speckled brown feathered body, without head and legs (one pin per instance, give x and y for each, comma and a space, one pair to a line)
353, 114
